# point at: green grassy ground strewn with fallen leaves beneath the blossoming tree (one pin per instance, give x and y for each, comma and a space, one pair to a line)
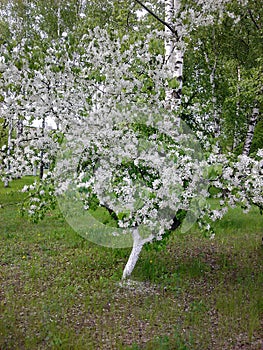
59, 291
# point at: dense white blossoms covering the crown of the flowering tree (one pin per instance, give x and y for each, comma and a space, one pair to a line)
98, 103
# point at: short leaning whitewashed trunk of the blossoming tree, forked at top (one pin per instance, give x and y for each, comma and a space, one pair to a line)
138, 243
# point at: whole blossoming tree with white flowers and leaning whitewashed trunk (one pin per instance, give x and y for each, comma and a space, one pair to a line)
118, 146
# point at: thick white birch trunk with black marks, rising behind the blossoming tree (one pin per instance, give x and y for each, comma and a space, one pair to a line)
173, 54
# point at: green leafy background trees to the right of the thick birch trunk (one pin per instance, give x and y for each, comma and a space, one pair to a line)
237, 42
